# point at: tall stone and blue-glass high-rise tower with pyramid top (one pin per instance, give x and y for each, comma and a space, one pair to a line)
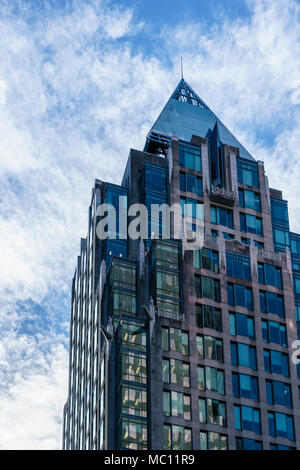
178, 348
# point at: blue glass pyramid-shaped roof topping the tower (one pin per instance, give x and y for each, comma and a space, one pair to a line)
185, 115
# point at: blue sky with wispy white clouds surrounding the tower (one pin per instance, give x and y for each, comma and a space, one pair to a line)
82, 82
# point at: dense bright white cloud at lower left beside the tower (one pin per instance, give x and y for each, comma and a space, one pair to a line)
31, 410
